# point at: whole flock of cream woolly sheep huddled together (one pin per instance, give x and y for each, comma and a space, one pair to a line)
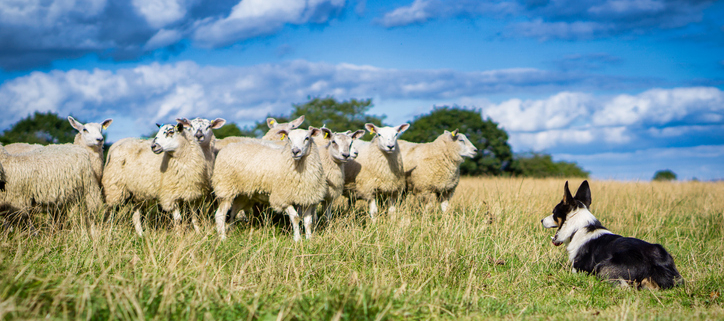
290, 170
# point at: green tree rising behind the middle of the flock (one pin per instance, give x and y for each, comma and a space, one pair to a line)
337, 116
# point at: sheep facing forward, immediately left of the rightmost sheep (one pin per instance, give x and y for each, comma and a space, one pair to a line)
377, 171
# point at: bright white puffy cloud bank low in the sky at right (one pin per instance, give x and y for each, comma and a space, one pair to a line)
579, 119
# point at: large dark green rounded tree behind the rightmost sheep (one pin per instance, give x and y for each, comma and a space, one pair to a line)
494, 155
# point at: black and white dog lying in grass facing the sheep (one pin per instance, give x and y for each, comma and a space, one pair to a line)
594, 249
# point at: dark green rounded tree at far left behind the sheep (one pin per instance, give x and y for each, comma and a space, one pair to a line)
40, 128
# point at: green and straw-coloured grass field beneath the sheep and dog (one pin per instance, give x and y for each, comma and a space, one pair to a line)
487, 258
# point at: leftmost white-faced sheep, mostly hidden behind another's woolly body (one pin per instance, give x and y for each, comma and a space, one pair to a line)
89, 137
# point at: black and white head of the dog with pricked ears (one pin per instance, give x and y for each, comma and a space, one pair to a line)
565, 210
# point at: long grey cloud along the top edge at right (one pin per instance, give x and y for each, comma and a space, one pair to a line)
565, 19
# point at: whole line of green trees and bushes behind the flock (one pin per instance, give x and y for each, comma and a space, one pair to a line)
495, 157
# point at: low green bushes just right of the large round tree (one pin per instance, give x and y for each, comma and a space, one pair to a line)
542, 165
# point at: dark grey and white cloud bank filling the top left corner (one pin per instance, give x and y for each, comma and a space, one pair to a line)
35, 33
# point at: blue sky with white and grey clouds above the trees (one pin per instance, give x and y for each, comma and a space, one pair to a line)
622, 87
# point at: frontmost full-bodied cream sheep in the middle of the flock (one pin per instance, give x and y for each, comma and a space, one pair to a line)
283, 177
